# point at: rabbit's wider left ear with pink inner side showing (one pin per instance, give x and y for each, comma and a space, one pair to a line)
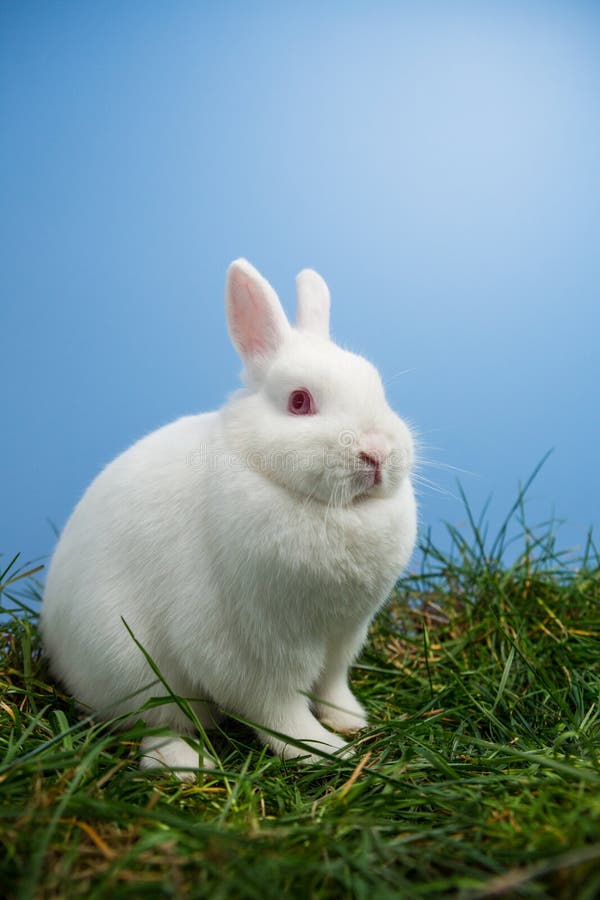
257, 323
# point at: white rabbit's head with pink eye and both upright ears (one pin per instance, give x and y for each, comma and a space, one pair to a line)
313, 417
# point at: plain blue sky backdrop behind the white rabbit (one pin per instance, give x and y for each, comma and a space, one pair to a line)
437, 162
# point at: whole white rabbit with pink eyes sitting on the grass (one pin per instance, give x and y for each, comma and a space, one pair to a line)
247, 549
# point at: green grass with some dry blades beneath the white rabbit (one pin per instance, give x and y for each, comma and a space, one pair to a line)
479, 777
